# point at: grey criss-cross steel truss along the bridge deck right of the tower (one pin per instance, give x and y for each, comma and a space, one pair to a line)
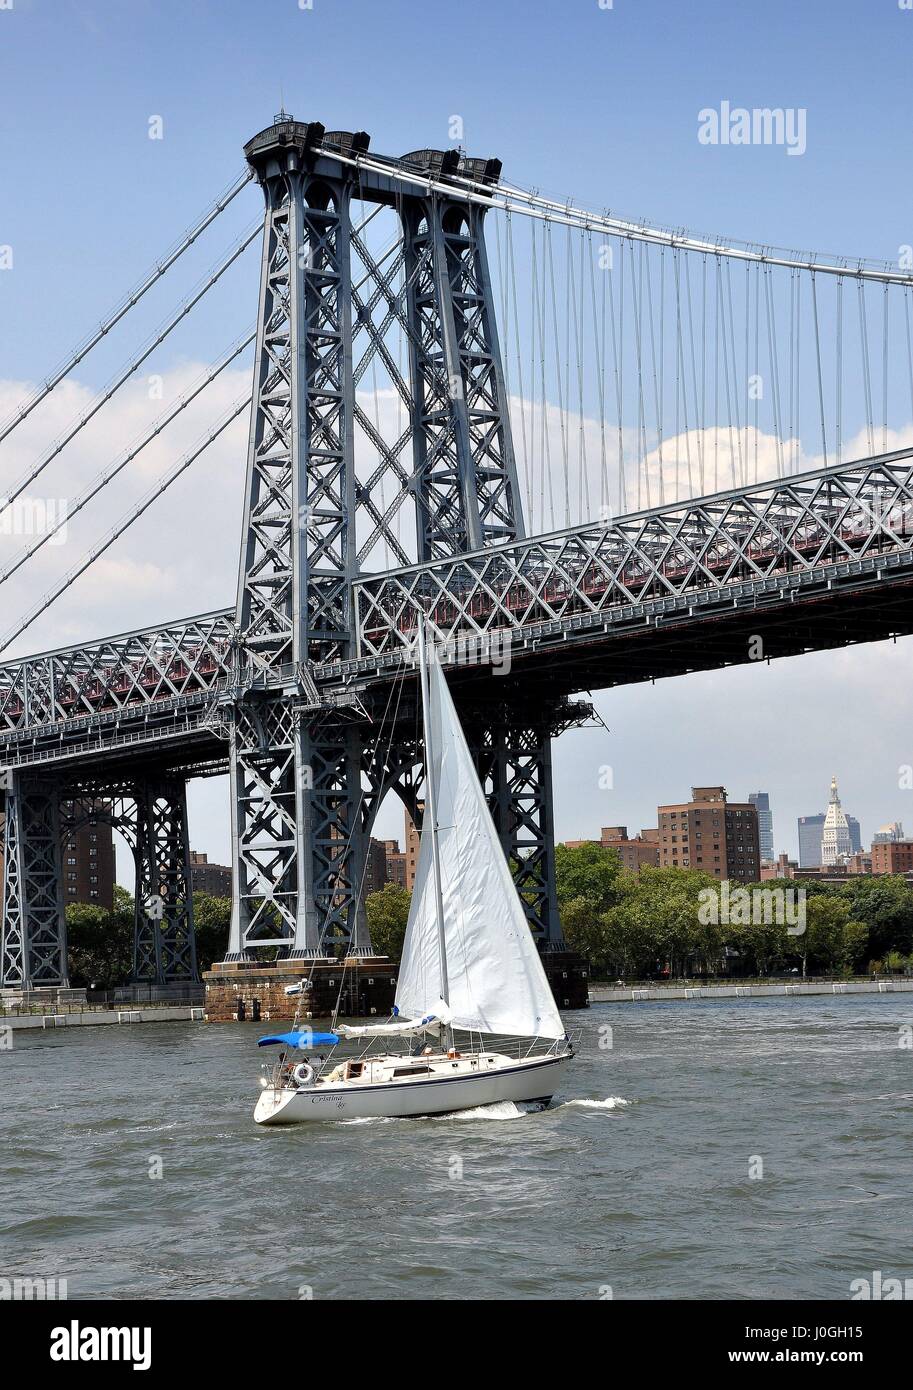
787, 526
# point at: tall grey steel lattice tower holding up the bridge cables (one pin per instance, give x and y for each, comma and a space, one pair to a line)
308, 779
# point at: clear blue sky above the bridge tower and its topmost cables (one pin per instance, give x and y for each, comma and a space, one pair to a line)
600, 105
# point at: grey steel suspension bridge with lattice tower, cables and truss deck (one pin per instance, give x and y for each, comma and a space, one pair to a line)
607, 450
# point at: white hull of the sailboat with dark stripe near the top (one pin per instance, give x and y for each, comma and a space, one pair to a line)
533, 1081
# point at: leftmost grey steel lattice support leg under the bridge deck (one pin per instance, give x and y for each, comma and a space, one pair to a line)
34, 949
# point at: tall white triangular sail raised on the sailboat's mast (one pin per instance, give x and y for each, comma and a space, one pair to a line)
495, 978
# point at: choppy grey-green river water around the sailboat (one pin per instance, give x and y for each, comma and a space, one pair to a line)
637, 1178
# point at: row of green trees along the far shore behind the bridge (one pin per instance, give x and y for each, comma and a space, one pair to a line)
626, 925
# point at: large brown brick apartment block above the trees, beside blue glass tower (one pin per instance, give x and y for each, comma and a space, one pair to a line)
712, 835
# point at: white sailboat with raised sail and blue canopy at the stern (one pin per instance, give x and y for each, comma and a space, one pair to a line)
470, 971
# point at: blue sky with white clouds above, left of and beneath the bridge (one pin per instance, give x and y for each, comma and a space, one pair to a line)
580, 101
